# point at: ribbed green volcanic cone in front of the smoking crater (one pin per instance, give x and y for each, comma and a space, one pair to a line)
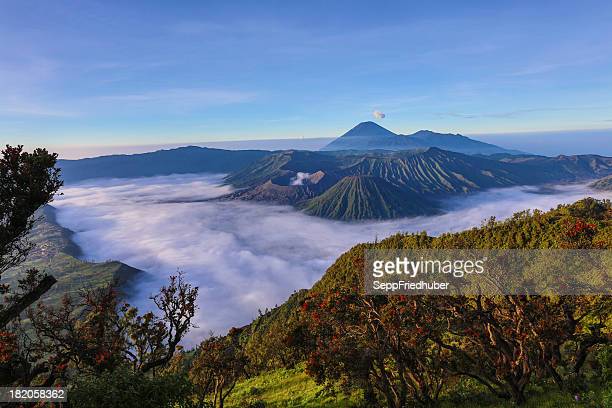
367, 197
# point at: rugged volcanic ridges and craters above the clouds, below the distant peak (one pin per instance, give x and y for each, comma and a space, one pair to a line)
421, 176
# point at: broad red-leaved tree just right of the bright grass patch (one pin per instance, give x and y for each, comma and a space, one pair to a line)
382, 344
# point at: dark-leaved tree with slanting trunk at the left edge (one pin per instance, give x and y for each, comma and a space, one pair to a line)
27, 182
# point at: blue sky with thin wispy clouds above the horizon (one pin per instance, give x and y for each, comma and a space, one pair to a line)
127, 72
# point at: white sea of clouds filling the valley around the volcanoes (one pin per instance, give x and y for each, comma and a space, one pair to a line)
245, 256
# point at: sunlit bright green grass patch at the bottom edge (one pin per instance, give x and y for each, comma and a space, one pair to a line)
288, 388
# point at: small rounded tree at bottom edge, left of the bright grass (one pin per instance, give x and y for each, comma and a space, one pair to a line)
219, 364
